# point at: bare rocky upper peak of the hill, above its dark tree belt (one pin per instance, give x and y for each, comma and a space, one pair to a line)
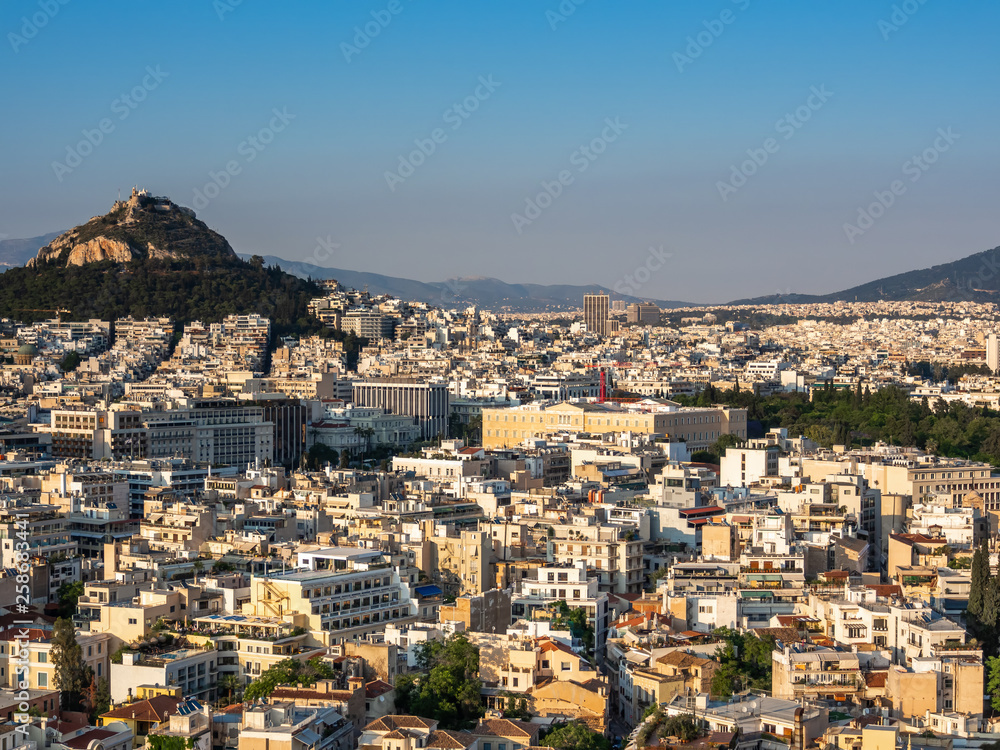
142, 227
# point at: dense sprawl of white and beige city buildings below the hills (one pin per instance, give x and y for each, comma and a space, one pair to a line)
444, 527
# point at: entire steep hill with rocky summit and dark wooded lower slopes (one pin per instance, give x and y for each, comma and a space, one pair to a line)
150, 257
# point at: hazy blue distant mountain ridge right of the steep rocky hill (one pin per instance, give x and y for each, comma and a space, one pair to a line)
482, 291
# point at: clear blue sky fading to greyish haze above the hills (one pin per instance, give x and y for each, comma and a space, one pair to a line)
643, 109
